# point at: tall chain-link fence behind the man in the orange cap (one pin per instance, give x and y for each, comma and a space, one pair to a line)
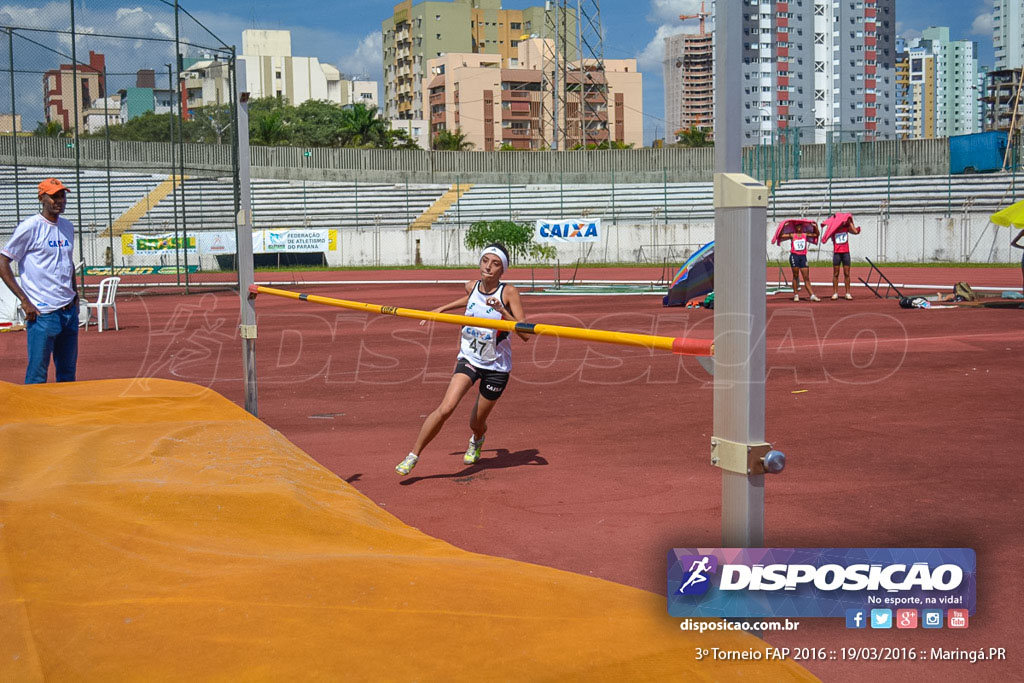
71, 76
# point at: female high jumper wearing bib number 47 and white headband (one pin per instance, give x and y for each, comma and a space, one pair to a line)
485, 355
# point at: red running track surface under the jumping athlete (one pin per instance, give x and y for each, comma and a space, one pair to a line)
902, 429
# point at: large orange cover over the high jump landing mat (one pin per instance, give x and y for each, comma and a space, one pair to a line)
153, 529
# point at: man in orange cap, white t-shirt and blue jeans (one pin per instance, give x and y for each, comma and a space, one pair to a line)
42, 247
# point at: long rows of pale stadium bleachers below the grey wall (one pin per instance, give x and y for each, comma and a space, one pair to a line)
278, 204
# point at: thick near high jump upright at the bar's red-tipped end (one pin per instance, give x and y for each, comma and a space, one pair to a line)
741, 219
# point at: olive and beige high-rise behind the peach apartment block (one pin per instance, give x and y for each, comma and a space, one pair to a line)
429, 30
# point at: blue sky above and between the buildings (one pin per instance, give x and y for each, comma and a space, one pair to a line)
348, 34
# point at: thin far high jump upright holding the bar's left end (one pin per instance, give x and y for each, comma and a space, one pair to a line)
244, 242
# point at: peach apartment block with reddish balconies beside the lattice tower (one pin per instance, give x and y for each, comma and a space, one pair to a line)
497, 107
